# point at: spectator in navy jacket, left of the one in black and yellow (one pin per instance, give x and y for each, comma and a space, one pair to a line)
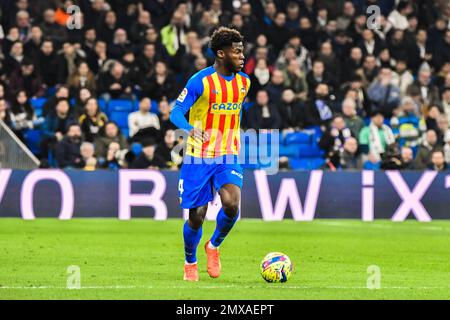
56, 126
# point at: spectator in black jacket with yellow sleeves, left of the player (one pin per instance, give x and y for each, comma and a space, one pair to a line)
92, 120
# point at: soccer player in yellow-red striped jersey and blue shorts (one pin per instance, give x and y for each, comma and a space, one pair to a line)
214, 97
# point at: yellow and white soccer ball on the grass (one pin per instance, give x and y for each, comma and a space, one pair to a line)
276, 267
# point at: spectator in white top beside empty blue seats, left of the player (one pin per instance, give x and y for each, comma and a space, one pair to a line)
143, 123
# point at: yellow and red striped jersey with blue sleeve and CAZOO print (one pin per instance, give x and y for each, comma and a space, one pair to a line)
214, 102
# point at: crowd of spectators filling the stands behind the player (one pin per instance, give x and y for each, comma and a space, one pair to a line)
376, 96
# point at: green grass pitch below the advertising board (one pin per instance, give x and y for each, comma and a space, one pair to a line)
143, 259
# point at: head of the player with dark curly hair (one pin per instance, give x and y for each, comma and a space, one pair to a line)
228, 48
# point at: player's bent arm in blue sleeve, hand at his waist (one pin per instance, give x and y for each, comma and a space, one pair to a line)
186, 99
